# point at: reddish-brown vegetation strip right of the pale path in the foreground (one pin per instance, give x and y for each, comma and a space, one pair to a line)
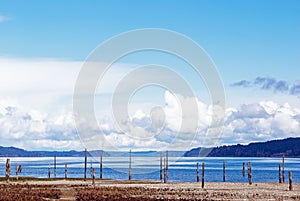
171, 194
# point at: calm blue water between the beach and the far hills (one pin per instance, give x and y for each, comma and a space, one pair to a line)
182, 170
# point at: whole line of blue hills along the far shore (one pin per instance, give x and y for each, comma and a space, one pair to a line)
274, 148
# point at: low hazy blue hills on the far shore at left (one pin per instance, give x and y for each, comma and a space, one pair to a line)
16, 152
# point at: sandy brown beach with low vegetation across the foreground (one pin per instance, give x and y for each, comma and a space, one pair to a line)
143, 190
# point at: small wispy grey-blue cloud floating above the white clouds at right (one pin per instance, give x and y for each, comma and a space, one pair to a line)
269, 83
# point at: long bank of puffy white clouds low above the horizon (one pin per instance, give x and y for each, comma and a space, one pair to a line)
266, 120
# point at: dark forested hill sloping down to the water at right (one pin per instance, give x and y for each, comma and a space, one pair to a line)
290, 147
